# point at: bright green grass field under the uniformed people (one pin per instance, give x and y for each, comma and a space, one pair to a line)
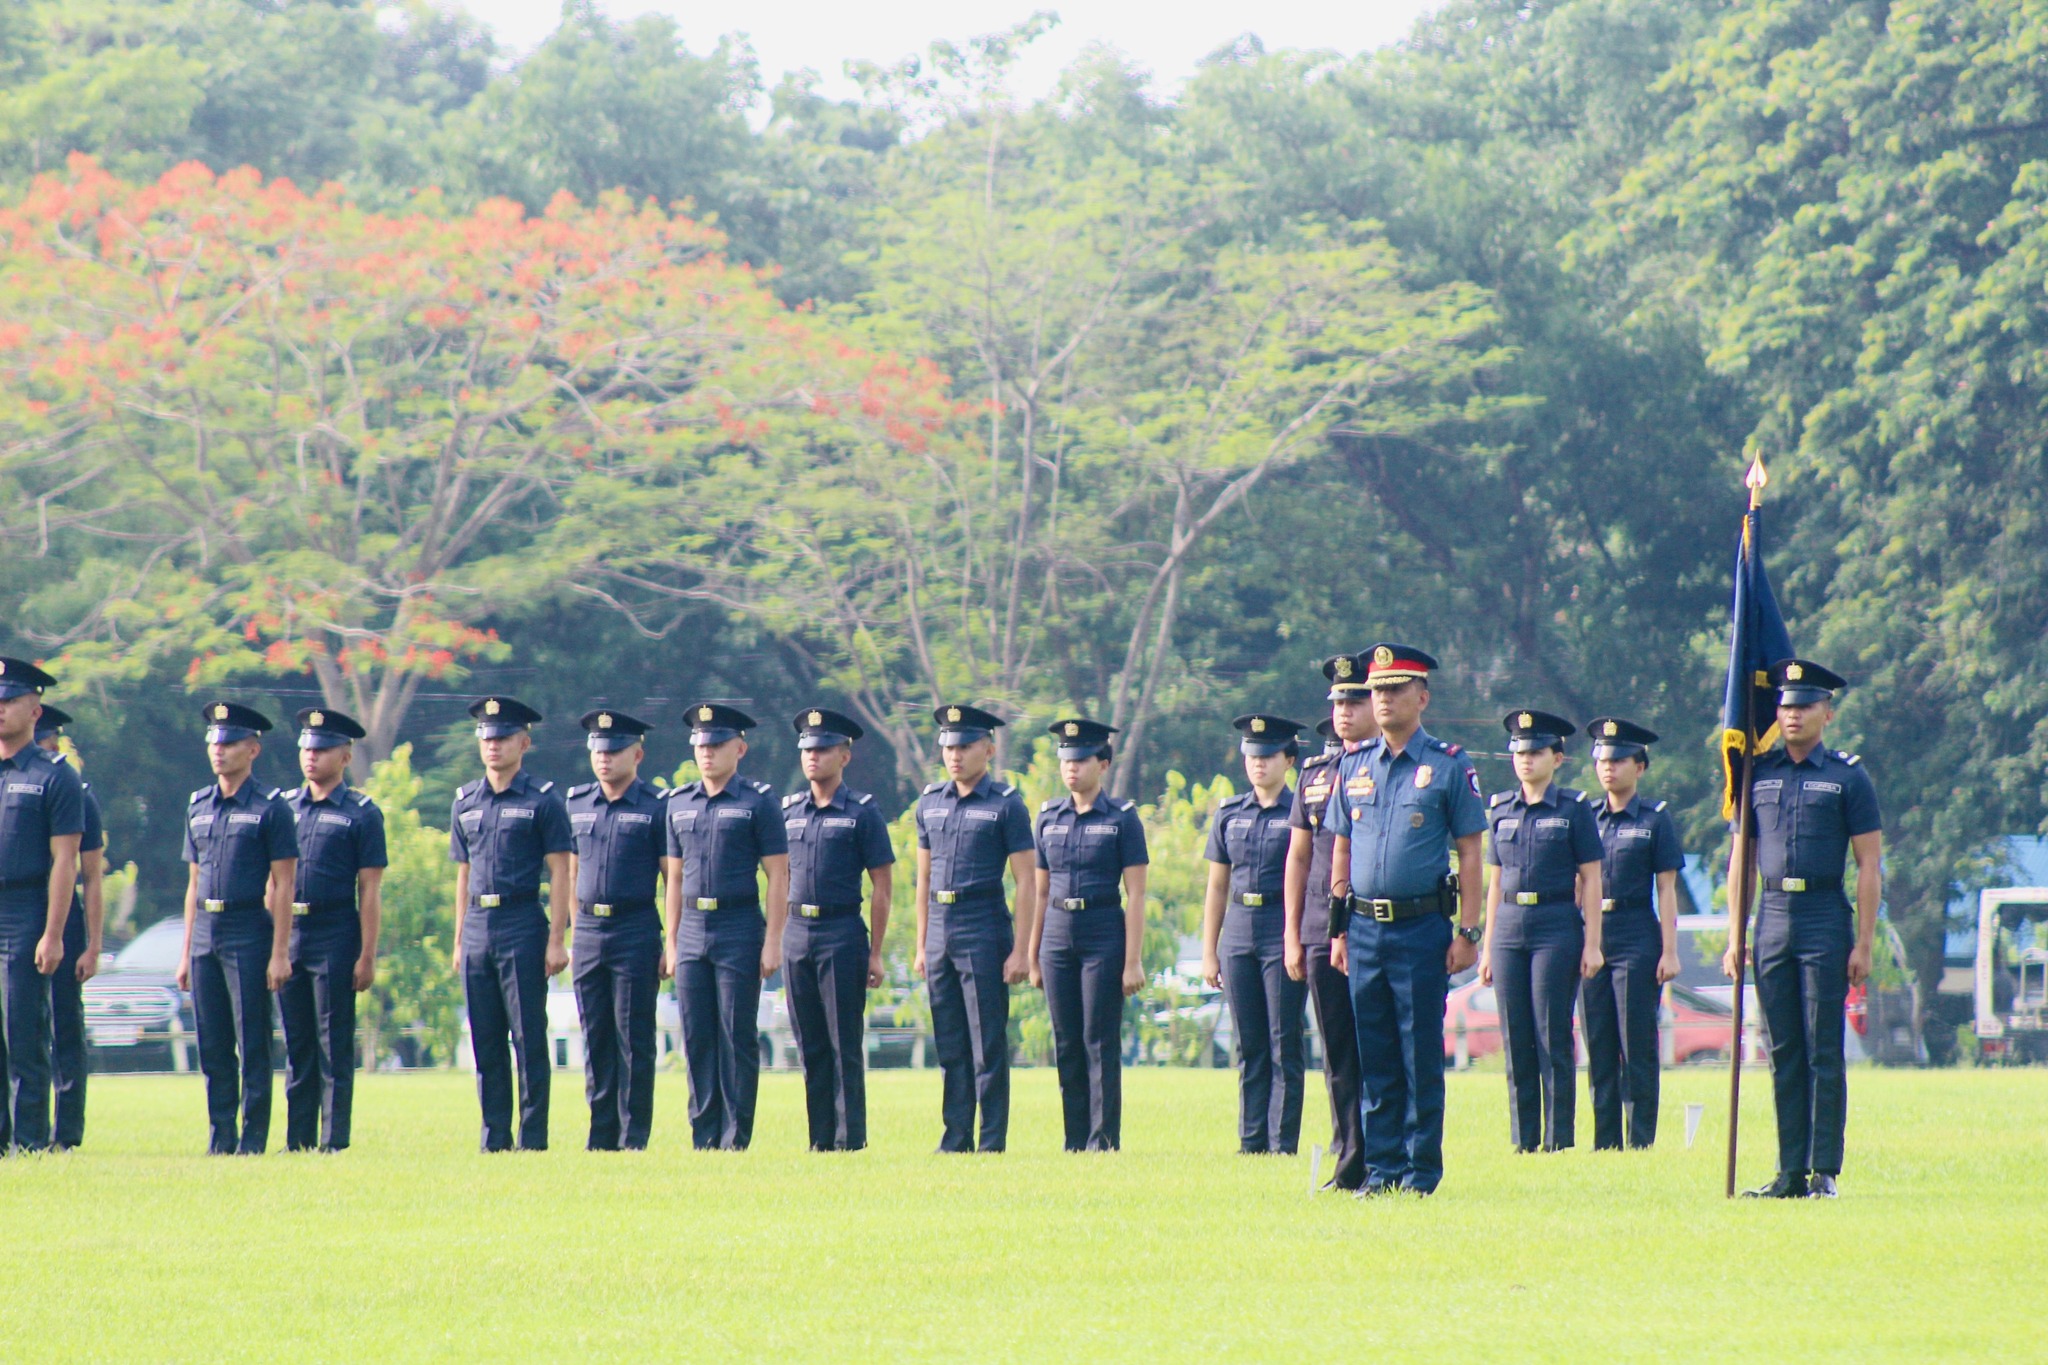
417, 1247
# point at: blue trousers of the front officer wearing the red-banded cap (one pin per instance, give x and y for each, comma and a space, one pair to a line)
1400, 981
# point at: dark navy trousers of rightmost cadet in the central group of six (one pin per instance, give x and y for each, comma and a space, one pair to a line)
1082, 963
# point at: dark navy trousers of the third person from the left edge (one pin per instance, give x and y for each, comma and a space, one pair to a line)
232, 1010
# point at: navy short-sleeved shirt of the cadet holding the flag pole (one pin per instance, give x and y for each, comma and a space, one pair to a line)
1805, 816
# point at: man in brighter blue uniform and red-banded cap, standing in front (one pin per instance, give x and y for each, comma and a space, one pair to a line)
1404, 801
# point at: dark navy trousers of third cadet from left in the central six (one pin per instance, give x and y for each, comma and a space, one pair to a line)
720, 992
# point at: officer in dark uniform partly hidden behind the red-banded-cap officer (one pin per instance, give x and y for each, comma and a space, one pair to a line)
1308, 912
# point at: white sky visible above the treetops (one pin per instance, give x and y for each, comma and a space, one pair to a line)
1164, 36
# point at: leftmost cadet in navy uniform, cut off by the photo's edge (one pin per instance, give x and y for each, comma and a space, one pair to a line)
42, 824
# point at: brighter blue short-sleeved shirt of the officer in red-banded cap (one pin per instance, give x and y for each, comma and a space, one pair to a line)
1402, 813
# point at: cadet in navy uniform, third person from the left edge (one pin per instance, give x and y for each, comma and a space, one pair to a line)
245, 854
